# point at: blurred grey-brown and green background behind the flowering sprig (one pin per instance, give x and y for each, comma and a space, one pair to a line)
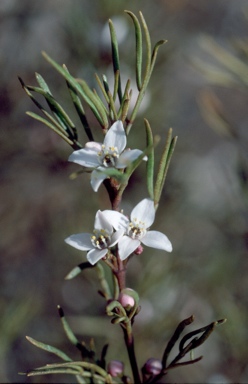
199, 87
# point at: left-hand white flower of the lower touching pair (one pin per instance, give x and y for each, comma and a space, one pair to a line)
99, 242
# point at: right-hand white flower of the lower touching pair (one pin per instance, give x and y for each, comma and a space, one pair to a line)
137, 229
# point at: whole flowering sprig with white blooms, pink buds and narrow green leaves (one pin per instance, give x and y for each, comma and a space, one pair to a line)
116, 237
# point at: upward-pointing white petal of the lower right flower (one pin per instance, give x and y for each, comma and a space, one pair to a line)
144, 211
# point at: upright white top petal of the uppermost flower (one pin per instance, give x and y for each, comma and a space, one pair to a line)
116, 137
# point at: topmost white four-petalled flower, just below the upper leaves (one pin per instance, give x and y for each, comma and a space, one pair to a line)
110, 154
